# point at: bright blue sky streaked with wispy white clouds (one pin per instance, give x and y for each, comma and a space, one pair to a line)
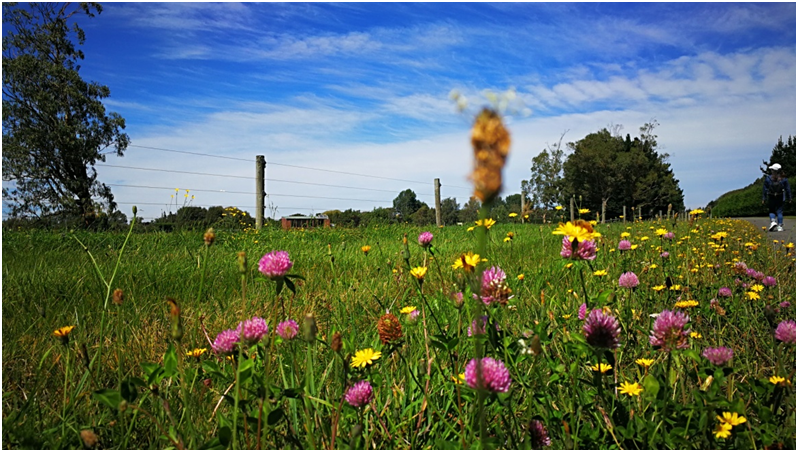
364, 88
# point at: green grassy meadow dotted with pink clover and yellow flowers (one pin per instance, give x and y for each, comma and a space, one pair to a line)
140, 371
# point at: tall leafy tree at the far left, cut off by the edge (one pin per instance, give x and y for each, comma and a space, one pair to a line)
55, 126
